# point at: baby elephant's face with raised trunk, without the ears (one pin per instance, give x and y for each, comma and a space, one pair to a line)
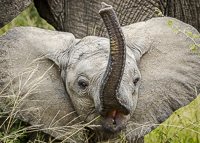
100, 82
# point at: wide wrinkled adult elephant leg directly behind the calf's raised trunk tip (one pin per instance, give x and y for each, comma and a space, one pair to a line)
81, 18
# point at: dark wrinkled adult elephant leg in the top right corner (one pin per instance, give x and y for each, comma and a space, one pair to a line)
187, 11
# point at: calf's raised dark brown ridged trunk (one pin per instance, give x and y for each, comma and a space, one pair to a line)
109, 91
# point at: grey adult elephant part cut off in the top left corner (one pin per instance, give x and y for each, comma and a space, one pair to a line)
9, 9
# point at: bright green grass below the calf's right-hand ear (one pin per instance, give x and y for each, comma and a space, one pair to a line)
182, 127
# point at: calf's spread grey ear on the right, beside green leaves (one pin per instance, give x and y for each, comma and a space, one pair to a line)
170, 71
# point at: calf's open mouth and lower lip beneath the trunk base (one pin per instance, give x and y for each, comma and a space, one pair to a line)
114, 121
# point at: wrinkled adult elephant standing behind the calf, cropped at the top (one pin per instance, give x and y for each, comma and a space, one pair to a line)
67, 15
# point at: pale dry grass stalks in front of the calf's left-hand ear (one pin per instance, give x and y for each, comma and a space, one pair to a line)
12, 110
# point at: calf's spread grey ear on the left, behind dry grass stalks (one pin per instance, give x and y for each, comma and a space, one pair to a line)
31, 87
